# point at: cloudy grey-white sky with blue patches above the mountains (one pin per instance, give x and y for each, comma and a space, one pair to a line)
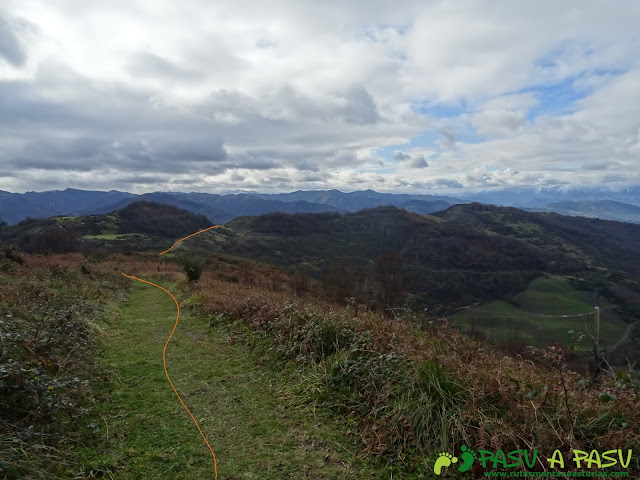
402, 96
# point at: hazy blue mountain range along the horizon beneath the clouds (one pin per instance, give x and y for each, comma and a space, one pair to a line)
619, 204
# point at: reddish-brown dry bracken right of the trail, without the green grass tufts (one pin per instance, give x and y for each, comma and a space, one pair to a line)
506, 401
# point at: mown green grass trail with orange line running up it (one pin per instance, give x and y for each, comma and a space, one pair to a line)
147, 434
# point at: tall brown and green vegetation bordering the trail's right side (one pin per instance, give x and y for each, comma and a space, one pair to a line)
410, 387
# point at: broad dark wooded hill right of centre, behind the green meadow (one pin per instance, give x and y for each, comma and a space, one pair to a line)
466, 254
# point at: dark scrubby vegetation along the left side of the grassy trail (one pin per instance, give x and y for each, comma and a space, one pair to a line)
51, 312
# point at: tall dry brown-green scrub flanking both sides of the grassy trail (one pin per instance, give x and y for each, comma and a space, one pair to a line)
405, 387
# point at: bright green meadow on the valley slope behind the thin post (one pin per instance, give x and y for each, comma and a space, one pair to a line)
502, 321
